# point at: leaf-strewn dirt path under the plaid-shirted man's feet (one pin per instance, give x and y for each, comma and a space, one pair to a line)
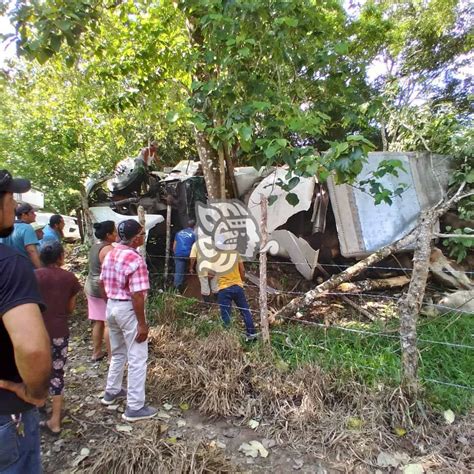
87, 424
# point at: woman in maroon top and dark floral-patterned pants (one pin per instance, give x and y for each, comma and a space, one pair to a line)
59, 289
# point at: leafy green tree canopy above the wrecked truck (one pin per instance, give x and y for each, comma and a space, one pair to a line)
249, 82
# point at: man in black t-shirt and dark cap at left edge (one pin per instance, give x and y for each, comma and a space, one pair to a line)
25, 358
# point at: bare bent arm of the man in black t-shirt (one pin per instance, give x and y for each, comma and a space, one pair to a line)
31, 345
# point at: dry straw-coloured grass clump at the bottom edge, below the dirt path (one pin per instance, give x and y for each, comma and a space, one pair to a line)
148, 453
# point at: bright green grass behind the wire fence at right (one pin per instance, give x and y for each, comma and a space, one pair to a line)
374, 360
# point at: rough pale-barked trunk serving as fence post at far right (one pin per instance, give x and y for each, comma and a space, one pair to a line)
411, 303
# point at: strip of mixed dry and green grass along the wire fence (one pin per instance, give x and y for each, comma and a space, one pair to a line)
310, 391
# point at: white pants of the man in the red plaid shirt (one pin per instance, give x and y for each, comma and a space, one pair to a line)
122, 332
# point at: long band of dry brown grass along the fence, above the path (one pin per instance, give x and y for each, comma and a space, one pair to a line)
312, 410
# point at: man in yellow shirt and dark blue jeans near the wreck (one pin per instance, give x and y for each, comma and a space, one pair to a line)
231, 290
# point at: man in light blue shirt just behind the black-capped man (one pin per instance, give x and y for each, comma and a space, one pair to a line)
24, 237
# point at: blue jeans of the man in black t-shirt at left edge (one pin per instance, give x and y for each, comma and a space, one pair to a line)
20, 454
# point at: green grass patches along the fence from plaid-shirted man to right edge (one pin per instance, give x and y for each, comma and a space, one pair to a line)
372, 361
